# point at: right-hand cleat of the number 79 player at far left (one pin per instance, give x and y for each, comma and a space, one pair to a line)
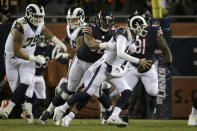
27, 108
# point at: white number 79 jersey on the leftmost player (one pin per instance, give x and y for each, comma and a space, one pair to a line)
30, 37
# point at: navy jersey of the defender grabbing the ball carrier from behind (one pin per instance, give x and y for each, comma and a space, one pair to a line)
89, 55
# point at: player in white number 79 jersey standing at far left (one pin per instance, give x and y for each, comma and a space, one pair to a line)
19, 56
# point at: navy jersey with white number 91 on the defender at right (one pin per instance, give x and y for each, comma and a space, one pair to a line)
147, 45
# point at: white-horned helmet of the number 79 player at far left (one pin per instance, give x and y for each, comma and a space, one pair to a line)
35, 14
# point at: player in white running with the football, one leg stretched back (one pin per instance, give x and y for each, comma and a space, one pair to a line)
111, 67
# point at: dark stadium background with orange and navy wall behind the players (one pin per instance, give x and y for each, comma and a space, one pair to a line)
176, 89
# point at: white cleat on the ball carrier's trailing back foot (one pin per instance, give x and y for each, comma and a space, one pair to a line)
58, 114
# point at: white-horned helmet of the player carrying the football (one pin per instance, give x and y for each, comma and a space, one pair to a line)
138, 25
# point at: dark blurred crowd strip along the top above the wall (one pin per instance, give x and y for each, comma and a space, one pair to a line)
91, 7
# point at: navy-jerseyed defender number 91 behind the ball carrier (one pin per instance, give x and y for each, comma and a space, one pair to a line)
145, 49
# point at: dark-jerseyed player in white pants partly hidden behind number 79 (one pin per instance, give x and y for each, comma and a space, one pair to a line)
38, 86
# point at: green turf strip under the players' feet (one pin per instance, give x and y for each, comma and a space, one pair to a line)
94, 125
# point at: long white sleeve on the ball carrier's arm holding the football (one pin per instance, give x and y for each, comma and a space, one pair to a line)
121, 47
